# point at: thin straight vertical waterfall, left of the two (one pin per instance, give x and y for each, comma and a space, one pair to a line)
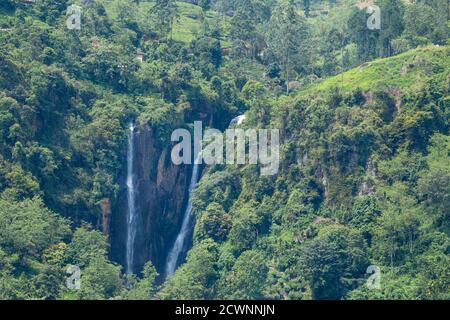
131, 194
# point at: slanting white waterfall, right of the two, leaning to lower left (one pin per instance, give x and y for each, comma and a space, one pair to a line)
174, 253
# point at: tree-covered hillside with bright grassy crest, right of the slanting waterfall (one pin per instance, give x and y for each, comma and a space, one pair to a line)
354, 189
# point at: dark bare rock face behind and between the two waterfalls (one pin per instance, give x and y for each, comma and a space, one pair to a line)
162, 191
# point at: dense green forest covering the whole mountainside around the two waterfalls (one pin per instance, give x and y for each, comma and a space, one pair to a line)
364, 175
